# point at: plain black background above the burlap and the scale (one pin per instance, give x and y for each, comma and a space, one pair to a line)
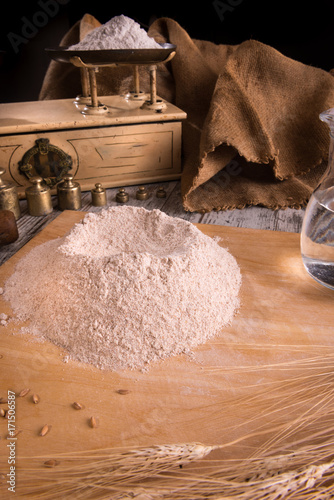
301, 30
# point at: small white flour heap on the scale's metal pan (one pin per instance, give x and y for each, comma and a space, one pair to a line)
120, 32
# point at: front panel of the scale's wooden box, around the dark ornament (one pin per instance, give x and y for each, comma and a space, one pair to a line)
114, 156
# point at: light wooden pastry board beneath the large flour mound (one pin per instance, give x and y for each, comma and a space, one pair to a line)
284, 316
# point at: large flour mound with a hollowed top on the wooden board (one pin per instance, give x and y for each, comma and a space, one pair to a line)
126, 287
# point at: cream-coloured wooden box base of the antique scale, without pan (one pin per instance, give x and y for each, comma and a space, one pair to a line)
128, 145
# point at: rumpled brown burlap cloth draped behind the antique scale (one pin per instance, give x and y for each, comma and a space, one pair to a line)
253, 134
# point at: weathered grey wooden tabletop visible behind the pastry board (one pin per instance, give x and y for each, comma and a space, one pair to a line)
289, 220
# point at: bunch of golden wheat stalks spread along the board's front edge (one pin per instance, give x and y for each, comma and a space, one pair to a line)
293, 461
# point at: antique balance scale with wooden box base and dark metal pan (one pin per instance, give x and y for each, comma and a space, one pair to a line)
123, 140
